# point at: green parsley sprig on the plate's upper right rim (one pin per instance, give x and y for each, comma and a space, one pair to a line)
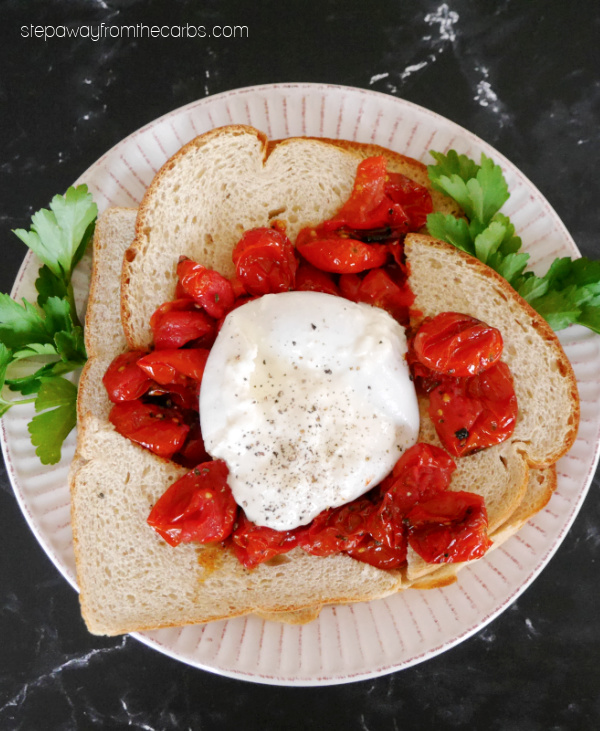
568, 293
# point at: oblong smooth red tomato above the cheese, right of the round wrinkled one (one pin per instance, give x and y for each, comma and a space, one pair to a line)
340, 255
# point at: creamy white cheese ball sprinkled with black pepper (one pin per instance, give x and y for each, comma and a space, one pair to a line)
307, 398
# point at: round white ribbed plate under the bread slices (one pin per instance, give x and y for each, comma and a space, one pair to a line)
346, 643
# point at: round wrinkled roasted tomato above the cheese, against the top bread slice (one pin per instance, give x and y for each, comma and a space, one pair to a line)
265, 262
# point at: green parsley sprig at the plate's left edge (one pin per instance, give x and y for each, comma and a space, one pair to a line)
44, 340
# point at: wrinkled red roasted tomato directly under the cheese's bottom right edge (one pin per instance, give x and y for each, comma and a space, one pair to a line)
337, 529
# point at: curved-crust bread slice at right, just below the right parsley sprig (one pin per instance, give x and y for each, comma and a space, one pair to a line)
544, 380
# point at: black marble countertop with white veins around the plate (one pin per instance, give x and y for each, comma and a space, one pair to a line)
524, 76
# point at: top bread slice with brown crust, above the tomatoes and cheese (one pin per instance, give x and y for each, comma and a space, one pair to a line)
224, 183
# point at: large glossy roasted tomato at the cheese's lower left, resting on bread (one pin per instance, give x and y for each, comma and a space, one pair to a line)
197, 507
